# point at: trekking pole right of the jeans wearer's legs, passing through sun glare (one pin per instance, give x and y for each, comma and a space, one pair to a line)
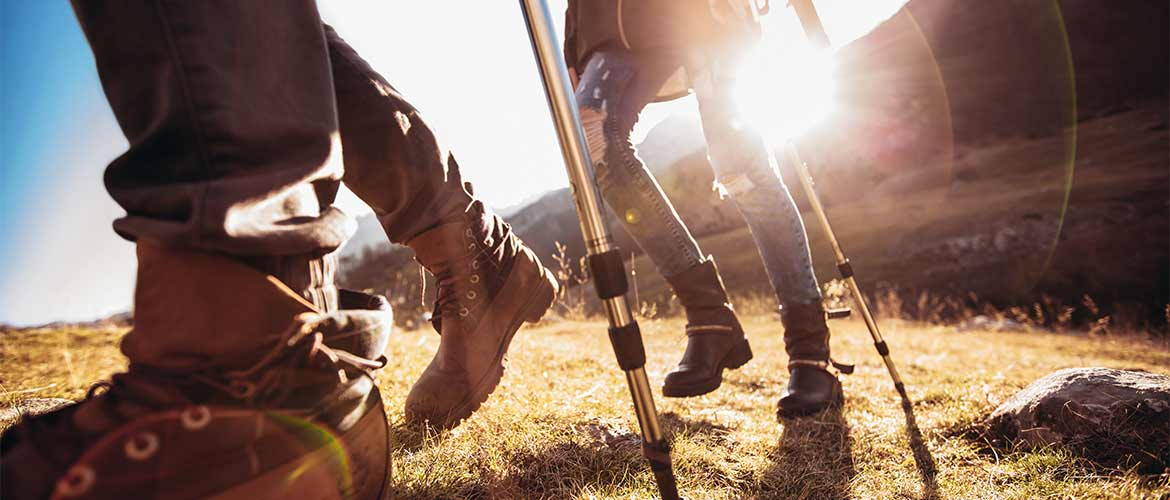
815, 31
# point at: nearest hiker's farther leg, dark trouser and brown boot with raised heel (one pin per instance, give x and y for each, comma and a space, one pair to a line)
490, 283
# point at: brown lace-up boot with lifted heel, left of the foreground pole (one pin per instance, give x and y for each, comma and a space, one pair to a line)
490, 284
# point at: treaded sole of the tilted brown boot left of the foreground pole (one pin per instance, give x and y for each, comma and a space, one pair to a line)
539, 303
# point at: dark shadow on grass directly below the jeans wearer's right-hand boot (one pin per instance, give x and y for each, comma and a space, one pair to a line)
814, 460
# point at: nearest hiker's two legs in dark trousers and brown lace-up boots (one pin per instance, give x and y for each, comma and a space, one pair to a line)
244, 120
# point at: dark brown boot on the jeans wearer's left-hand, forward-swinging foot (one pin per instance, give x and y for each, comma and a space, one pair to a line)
715, 340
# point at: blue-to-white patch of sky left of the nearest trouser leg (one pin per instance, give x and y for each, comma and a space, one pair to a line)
57, 133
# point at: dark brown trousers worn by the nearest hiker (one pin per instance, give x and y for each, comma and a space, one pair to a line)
243, 120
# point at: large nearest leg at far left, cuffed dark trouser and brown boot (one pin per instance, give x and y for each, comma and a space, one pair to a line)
232, 168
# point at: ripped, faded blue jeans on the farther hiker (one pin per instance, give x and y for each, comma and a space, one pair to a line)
612, 92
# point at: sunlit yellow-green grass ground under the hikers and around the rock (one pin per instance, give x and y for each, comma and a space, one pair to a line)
560, 424
